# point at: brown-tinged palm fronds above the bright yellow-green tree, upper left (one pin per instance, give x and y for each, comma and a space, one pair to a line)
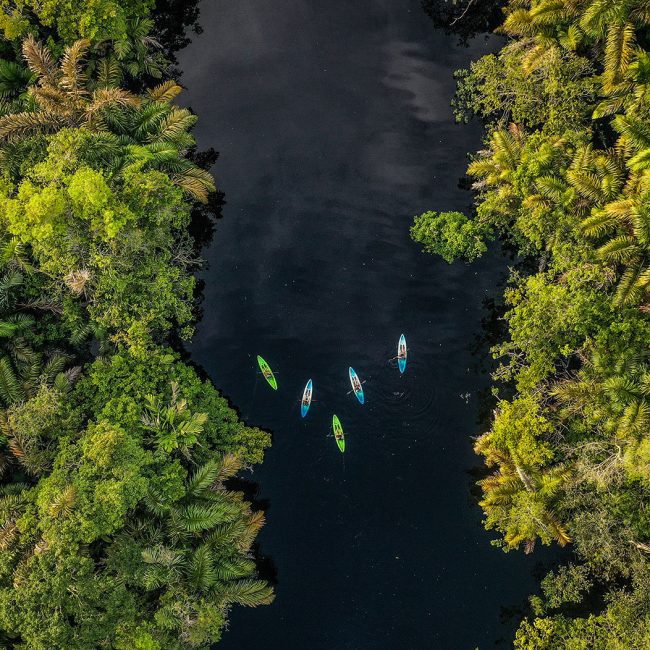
130, 129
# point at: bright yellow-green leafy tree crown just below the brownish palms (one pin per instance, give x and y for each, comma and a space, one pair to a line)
112, 240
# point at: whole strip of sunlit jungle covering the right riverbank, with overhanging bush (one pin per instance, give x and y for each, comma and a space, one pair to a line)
564, 178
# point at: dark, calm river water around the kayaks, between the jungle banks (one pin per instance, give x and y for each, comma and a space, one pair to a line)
334, 127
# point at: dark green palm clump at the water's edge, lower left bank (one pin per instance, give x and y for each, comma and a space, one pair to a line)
199, 547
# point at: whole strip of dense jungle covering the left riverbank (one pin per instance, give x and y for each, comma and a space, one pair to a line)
118, 527
